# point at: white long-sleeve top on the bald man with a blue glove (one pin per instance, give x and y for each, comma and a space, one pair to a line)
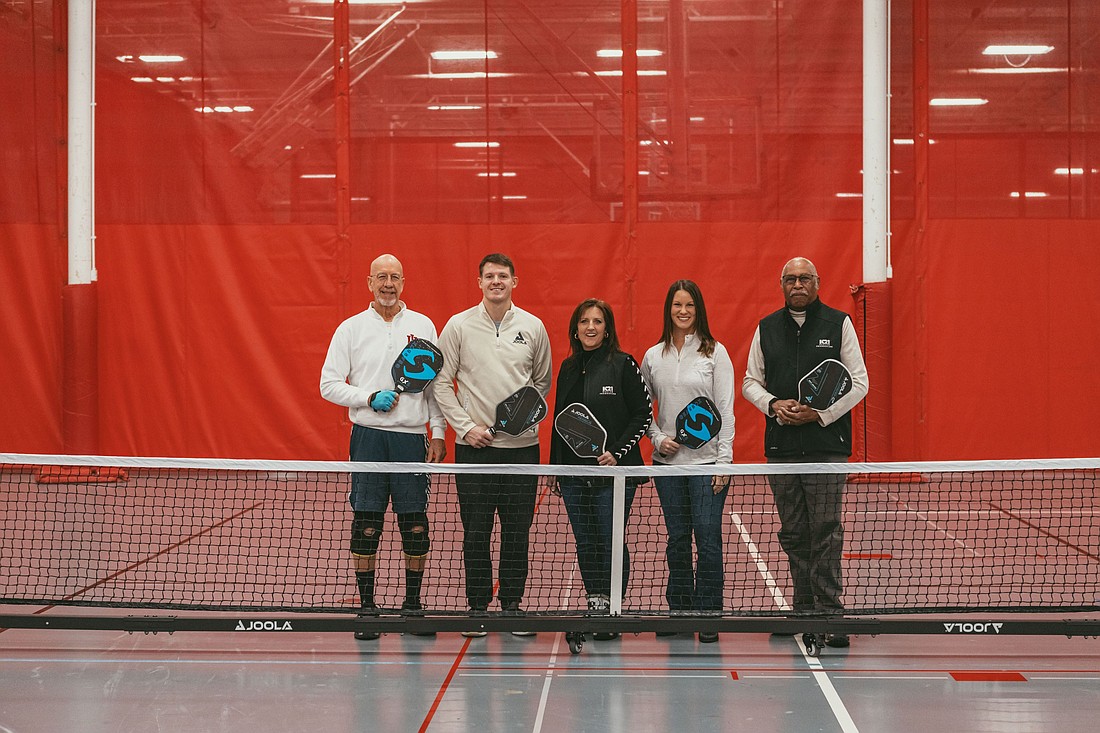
361, 354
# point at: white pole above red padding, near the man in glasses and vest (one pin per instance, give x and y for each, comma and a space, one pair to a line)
876, 141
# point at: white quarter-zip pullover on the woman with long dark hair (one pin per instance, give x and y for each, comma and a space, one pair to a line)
675, 379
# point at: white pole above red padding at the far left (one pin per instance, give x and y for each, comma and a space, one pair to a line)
82, 141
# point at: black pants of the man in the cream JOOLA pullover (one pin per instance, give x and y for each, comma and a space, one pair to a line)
481, 496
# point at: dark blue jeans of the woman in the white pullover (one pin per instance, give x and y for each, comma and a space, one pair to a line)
691, 508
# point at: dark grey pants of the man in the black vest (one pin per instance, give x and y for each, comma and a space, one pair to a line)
811, 533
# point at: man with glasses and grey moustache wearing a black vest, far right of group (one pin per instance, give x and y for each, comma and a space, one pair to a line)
788, 345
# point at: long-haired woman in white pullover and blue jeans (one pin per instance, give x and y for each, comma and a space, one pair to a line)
689, 364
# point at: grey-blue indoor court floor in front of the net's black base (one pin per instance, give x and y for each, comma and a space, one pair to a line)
120, 683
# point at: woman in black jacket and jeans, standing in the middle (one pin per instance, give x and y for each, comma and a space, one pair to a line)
602, 377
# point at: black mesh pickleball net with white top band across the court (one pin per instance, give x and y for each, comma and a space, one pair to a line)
244, 535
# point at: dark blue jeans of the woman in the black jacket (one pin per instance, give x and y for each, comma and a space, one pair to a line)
589, 504
